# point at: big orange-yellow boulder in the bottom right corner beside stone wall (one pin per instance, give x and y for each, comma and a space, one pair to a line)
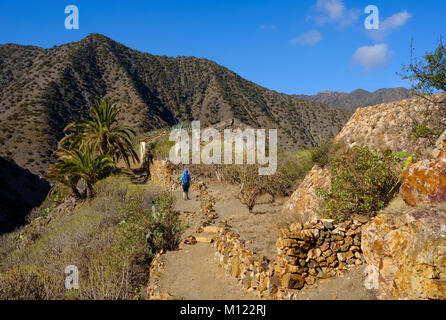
406, 253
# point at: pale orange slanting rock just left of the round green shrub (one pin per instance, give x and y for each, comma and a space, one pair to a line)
304, 200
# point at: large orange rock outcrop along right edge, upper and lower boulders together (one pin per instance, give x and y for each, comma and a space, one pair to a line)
406, 251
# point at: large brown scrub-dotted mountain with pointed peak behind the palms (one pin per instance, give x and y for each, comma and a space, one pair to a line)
42, 90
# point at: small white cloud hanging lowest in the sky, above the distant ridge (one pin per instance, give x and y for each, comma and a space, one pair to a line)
373, 56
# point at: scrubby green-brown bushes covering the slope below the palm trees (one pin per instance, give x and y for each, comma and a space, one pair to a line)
111, 239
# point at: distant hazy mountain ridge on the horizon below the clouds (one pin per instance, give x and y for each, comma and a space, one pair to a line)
358, 98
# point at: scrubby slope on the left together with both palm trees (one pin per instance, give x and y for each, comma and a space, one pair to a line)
109, 231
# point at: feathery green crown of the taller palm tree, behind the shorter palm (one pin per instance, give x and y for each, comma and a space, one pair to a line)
104, 129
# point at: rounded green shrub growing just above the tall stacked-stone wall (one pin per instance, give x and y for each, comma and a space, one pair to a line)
361, 181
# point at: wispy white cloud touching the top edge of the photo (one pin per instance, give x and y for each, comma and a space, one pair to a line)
335, 11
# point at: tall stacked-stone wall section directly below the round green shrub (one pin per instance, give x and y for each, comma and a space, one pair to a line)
315, 250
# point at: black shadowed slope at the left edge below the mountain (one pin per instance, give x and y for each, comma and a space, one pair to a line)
20, 192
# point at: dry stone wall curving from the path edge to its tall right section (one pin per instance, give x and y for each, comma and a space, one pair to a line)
306, 253
